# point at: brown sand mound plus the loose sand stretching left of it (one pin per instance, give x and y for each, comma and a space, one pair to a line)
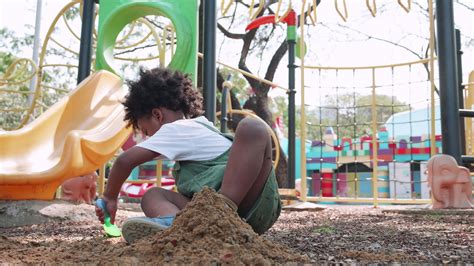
206, 232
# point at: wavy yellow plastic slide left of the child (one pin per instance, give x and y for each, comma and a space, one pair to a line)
74, 137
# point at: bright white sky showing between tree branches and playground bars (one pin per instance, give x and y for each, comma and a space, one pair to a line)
329, 43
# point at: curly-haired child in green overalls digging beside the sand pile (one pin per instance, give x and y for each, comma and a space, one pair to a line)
164, 106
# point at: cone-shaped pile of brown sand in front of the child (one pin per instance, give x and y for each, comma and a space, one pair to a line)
206, 231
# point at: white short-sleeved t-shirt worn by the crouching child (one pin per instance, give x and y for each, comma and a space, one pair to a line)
187, 140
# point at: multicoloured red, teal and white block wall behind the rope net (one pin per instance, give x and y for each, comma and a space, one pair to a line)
343, 167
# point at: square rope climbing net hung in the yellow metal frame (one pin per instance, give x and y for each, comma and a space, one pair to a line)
369, 123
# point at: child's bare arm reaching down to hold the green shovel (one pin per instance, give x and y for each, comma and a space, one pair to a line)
120, 171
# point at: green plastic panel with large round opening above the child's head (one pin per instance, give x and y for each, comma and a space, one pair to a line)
114, 15
